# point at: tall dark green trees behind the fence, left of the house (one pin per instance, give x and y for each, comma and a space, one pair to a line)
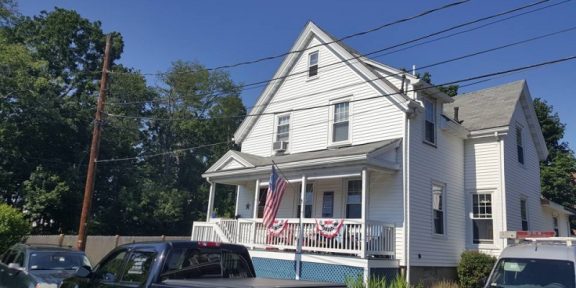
50, 68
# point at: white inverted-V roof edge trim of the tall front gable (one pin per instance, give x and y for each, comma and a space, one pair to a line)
353, 61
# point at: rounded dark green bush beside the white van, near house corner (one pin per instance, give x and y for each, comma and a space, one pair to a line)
474, 268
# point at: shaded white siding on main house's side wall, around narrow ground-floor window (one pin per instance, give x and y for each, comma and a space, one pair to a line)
428, 164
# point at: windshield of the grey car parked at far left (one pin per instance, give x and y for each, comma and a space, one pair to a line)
56, 260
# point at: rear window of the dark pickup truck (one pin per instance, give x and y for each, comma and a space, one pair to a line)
193, 263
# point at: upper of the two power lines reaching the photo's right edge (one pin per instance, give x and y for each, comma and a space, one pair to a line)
375, 79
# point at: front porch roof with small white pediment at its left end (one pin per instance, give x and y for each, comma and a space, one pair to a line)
235, 160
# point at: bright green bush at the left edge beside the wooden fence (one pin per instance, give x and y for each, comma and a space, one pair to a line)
13, 227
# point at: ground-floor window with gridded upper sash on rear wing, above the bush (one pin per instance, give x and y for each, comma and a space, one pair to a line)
482, 219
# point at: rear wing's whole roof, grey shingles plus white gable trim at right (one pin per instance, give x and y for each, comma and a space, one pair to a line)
494, 107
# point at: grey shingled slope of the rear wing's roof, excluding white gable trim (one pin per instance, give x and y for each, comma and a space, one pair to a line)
487, 108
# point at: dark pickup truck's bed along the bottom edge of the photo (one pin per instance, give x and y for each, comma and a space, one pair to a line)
244, 283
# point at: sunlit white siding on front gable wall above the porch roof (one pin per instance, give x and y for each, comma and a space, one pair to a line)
370, 121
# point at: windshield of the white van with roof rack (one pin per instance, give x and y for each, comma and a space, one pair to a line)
521, 272
